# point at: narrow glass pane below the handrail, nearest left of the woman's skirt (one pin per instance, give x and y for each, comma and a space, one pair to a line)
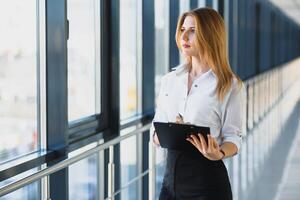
128, 153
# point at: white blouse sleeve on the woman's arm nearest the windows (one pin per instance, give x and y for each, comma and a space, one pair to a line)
160, 114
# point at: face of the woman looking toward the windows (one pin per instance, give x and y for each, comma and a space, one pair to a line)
188, 36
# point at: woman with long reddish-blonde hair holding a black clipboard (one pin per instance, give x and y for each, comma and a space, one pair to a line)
203, 91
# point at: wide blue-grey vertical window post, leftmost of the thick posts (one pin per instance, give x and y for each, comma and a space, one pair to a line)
56, 84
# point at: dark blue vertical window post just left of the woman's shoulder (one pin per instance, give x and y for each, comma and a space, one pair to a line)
148, 88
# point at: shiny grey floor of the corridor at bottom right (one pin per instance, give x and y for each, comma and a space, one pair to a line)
280, 178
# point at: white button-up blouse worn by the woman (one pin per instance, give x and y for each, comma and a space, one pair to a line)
201, 106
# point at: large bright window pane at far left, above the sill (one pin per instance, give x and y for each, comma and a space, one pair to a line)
18, 78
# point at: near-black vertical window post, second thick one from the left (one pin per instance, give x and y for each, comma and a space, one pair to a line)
110, 57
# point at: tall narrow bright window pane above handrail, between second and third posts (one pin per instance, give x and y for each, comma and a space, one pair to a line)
128, 58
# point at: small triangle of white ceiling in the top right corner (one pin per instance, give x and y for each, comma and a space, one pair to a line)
290, 7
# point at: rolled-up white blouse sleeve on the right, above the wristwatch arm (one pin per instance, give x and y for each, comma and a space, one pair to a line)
234, 115
